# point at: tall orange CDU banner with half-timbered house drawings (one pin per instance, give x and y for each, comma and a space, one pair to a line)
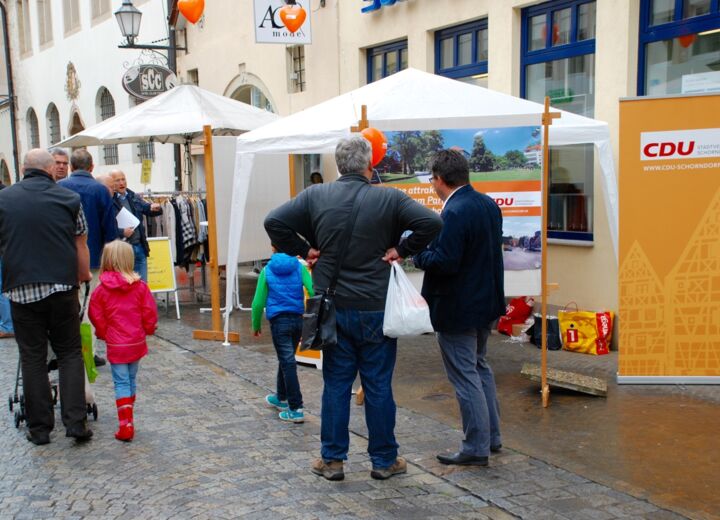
669, 268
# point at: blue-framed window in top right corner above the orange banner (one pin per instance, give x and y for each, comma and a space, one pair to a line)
679, 48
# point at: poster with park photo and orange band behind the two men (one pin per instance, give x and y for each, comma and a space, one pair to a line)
505, 164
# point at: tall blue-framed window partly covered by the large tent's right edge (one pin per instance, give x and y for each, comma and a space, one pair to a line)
558, 61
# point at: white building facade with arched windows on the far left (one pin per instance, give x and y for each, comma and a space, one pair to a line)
67, 72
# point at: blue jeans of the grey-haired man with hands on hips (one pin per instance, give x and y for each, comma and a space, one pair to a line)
361, 347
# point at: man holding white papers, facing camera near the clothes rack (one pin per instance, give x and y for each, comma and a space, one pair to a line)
130, 210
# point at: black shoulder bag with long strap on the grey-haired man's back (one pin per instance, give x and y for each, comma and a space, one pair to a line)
319, 326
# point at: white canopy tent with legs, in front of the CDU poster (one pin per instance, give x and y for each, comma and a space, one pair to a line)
408, 100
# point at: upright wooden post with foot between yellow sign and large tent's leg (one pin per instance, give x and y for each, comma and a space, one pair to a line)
217, 332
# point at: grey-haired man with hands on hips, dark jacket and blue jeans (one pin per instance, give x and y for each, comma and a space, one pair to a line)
320, 214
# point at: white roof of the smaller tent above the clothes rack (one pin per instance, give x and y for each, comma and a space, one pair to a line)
175, 116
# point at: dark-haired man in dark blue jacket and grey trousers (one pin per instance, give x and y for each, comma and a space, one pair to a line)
464, 288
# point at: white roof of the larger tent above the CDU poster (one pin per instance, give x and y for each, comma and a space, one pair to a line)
412, 100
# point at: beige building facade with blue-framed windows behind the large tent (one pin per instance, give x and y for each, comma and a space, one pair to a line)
584, 54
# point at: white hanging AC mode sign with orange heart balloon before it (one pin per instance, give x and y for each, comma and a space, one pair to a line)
279, 22
